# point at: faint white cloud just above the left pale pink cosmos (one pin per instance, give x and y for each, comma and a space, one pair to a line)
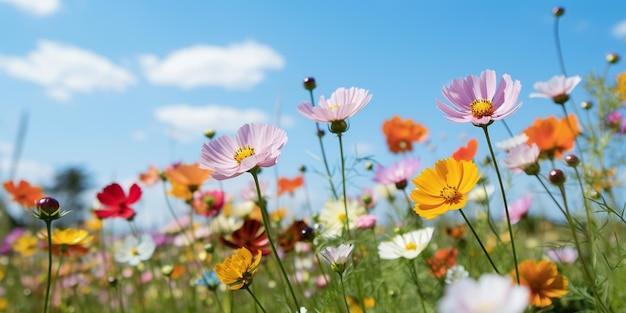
188, 121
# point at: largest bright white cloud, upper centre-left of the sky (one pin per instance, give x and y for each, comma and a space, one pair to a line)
237, 66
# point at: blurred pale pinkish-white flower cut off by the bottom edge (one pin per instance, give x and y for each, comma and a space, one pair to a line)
490, 294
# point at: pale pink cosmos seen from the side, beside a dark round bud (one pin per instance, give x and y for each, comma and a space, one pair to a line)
343, 104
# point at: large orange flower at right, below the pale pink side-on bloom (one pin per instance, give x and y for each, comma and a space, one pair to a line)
552, 136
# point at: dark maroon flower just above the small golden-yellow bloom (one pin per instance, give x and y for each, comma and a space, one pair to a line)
251, 235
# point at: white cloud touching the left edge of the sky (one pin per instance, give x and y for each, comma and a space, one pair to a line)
64, 69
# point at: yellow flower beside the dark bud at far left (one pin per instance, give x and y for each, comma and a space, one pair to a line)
69, 241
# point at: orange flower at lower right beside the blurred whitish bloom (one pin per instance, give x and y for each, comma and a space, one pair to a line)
543, 280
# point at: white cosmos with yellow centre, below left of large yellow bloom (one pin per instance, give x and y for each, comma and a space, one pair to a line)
407, 246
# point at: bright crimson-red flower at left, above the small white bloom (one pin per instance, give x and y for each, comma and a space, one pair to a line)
116, 203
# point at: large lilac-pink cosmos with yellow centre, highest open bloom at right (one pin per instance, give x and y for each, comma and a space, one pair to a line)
478, 100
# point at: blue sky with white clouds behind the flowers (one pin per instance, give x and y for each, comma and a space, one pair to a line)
115, 86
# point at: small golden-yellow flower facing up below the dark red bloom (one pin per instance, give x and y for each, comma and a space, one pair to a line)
238, 270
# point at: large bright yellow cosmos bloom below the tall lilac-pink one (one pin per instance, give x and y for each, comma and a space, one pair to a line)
444, 187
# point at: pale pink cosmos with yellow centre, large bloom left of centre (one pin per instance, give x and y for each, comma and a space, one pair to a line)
255, 145
